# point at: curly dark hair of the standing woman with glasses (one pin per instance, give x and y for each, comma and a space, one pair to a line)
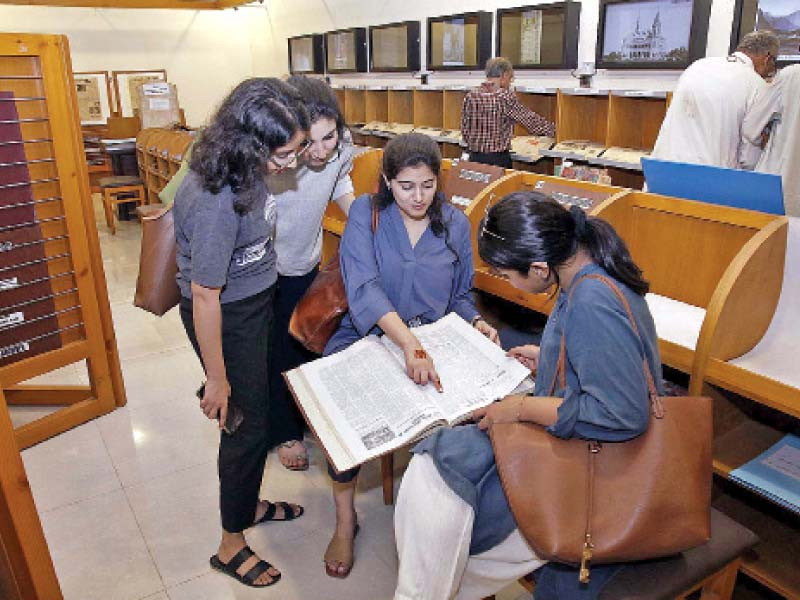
258, 116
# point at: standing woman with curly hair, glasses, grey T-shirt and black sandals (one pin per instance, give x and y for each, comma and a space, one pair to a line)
224, 227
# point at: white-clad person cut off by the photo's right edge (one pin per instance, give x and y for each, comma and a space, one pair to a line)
780, 103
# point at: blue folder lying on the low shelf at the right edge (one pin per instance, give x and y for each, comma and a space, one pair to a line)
775, 473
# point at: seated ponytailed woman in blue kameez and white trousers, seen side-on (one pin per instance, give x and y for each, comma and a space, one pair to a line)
456, 535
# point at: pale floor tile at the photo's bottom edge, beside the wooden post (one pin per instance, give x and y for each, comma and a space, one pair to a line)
98, 550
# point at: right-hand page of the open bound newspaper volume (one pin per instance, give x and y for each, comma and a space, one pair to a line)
473, 371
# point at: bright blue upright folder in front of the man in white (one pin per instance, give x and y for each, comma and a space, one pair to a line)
715, 185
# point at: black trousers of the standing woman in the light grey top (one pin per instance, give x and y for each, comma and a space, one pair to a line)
286, 422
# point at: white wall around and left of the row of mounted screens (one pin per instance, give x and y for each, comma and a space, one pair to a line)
206, 53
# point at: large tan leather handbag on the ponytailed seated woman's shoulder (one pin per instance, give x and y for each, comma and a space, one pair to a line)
579, 501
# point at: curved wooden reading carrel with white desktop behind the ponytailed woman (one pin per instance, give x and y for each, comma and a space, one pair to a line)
686, 249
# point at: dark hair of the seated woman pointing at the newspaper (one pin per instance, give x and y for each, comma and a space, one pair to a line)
412, 150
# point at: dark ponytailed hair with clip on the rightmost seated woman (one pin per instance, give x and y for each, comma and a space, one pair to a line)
528, 227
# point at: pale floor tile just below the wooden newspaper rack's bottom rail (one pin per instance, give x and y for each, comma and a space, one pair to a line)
70, 467
